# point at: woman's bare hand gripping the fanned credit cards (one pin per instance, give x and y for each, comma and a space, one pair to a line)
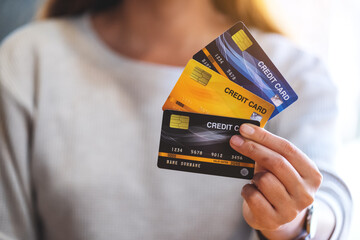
283, 186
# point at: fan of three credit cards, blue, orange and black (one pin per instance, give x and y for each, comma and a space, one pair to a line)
229, 82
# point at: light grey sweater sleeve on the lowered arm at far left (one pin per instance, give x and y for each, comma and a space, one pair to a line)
17, 214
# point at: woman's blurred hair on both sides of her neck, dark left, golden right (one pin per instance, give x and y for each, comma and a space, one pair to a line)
254, 13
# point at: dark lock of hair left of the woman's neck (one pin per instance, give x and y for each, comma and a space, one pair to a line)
63, 8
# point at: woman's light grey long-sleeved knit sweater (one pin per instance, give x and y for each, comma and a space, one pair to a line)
79, 135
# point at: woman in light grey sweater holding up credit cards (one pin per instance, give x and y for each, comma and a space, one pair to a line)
81, 97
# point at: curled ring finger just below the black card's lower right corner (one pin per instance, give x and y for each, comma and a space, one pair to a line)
274, 191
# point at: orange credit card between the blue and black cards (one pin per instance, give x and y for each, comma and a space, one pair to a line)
201, 90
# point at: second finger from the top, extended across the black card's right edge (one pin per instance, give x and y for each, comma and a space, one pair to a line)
270, 160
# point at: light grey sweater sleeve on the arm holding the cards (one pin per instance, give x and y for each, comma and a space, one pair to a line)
310, 123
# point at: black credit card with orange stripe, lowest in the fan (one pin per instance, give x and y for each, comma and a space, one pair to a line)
199, 143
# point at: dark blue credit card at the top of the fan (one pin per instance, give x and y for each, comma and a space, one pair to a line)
236, 55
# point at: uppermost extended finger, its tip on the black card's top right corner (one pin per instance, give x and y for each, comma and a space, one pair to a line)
296, 157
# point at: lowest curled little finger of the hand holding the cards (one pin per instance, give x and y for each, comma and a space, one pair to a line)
259, 213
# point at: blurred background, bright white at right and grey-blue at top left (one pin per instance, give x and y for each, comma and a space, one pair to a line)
326, 28
